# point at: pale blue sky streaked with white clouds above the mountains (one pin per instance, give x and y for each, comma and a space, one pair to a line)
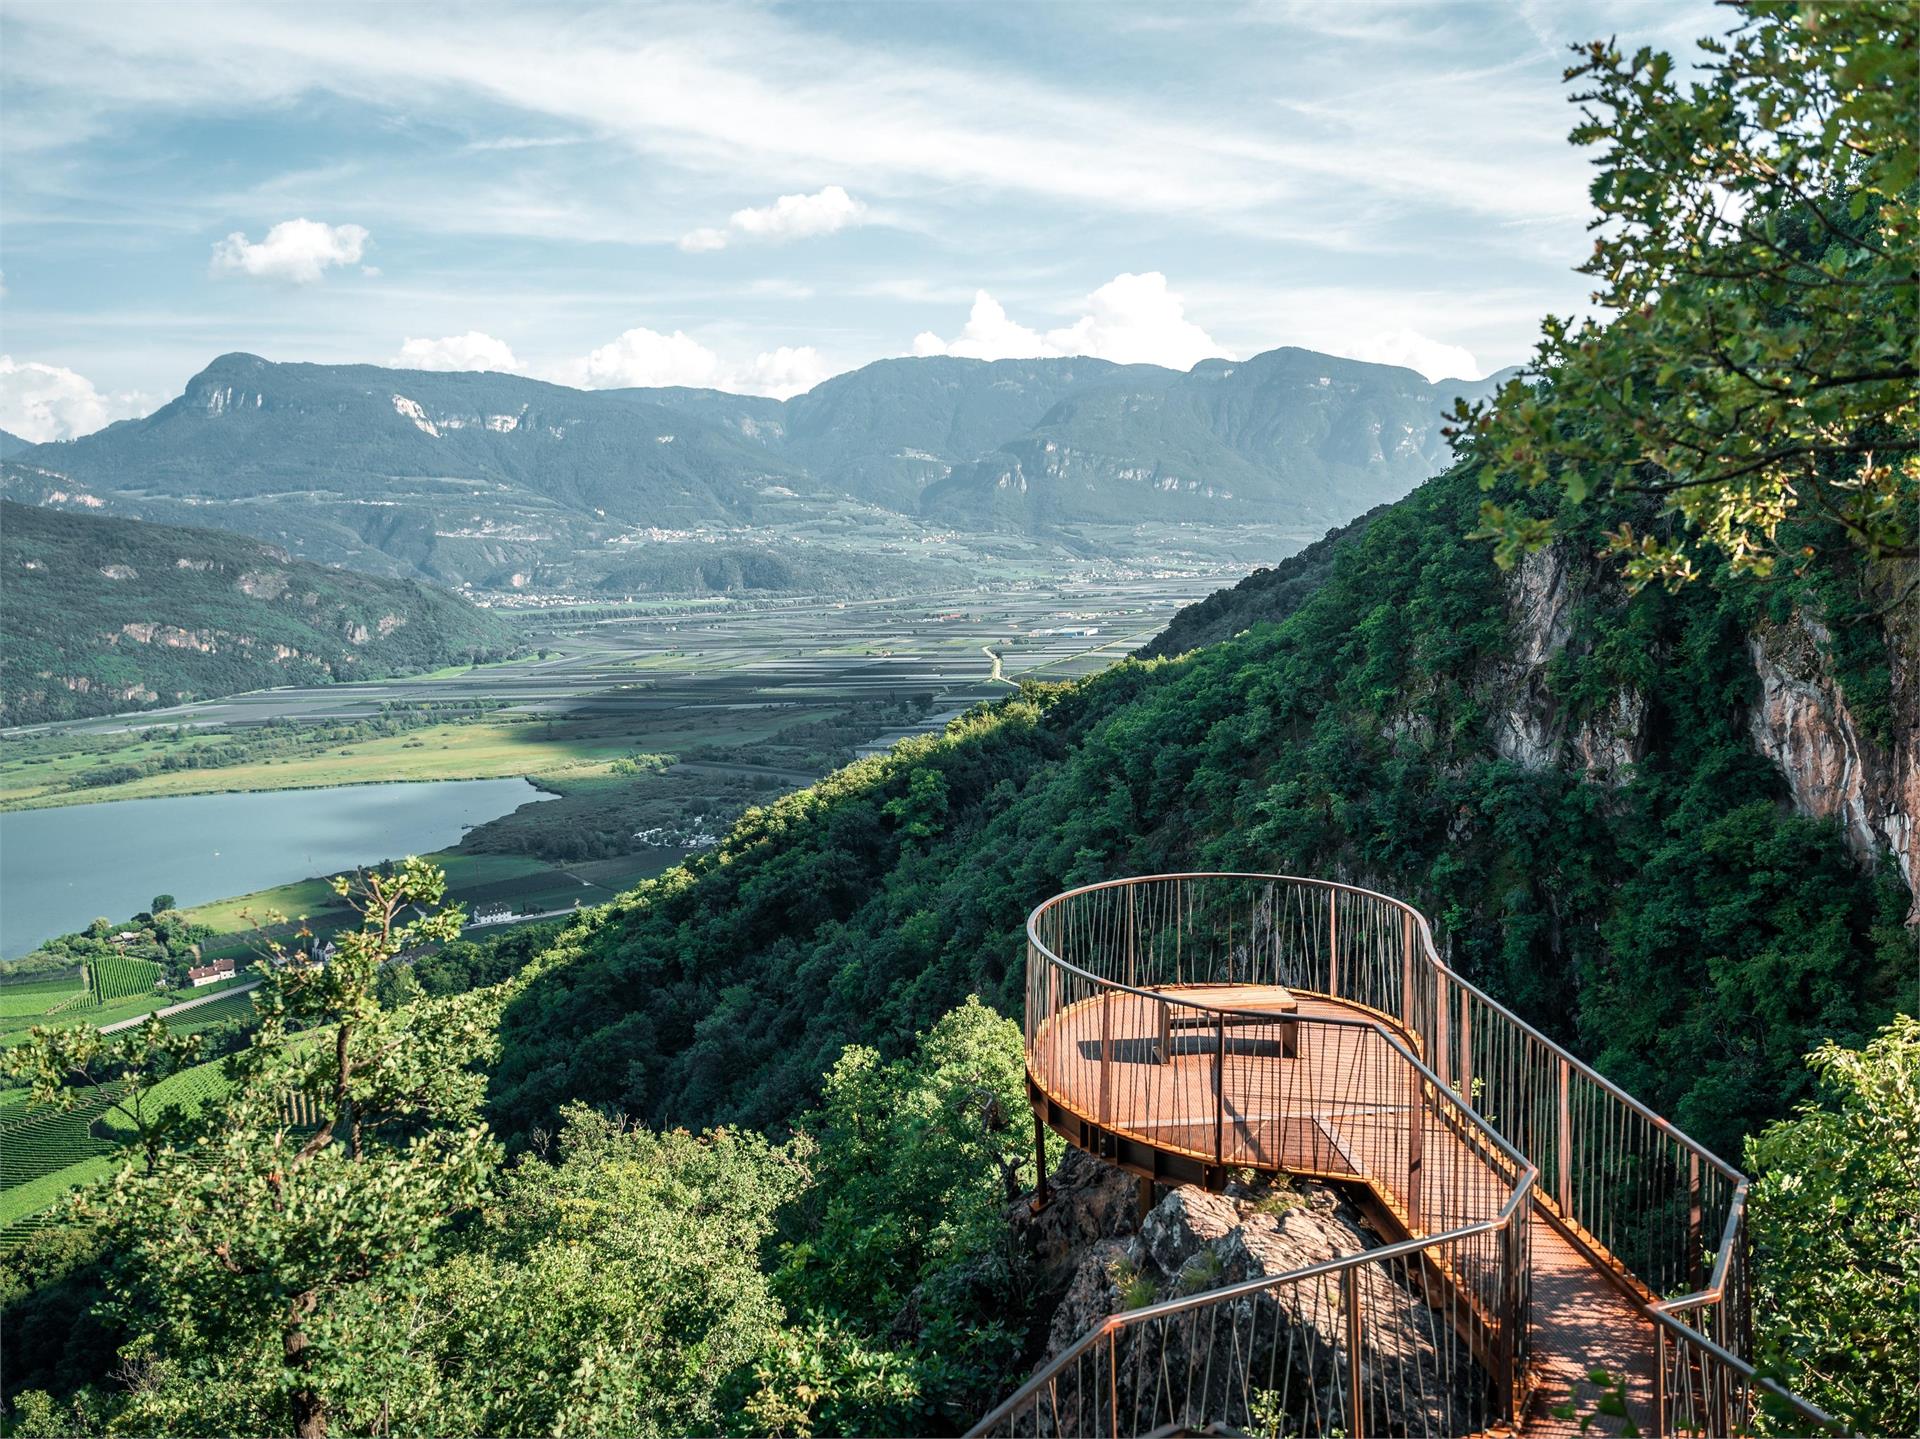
756, 197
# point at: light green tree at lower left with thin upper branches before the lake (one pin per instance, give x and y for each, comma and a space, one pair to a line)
260, 1257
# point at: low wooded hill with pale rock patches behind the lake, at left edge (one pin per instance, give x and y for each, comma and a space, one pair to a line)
105, 616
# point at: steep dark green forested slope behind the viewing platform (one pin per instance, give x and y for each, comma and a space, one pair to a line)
1564, 777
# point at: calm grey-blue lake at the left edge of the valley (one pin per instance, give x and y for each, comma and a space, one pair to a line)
62, 867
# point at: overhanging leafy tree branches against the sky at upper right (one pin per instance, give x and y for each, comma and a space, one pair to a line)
1756, 258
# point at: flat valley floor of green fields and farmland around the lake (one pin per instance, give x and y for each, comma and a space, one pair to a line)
650, 727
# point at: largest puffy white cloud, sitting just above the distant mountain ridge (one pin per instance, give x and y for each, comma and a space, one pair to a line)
1132, 320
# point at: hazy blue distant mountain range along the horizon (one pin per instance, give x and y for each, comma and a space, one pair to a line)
506, 483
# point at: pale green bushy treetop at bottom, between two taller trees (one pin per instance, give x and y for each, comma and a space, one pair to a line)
613, 1292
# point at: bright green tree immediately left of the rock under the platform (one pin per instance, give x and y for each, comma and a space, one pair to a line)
898, 1261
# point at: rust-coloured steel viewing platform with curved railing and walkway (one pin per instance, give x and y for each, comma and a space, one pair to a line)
1512, 1181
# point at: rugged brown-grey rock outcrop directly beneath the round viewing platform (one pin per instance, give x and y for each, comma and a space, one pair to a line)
1090, 1250
